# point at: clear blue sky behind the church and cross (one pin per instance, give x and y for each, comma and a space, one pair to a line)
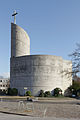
52, 25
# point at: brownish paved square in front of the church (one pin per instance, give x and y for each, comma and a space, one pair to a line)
49, 109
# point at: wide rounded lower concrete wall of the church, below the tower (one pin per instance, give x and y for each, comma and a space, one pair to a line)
36, 72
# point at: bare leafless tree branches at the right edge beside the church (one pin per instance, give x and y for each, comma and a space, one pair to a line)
75, 58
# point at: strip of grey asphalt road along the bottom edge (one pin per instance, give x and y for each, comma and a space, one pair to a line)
17, 117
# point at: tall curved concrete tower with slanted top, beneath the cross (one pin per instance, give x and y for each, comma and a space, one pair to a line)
20, 42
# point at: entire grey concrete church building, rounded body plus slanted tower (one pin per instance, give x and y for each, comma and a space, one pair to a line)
35, 72
